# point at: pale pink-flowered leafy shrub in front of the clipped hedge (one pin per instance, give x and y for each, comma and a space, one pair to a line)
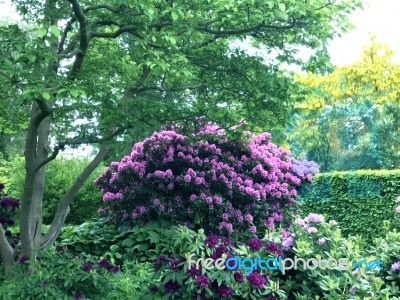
318, 239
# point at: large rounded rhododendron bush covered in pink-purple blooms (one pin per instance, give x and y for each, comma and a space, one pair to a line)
206, 180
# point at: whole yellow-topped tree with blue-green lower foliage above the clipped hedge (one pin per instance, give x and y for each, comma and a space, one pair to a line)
343, 120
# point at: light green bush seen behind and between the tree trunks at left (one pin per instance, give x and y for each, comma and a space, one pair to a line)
60, 175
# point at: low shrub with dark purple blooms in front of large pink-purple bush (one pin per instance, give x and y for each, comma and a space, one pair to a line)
179, 281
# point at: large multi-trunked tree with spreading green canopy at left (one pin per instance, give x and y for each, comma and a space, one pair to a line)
89, 72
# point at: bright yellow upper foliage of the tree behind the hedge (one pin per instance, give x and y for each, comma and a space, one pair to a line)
375, 76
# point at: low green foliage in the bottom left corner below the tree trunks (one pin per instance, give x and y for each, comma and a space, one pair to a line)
64, 275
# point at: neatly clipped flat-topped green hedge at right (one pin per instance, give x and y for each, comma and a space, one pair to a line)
359, 201
